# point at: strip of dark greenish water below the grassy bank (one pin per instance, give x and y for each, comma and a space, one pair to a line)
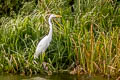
53, 77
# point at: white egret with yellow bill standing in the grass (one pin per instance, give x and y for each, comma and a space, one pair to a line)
45, 42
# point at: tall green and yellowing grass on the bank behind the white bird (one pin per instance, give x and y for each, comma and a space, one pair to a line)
87, 38
